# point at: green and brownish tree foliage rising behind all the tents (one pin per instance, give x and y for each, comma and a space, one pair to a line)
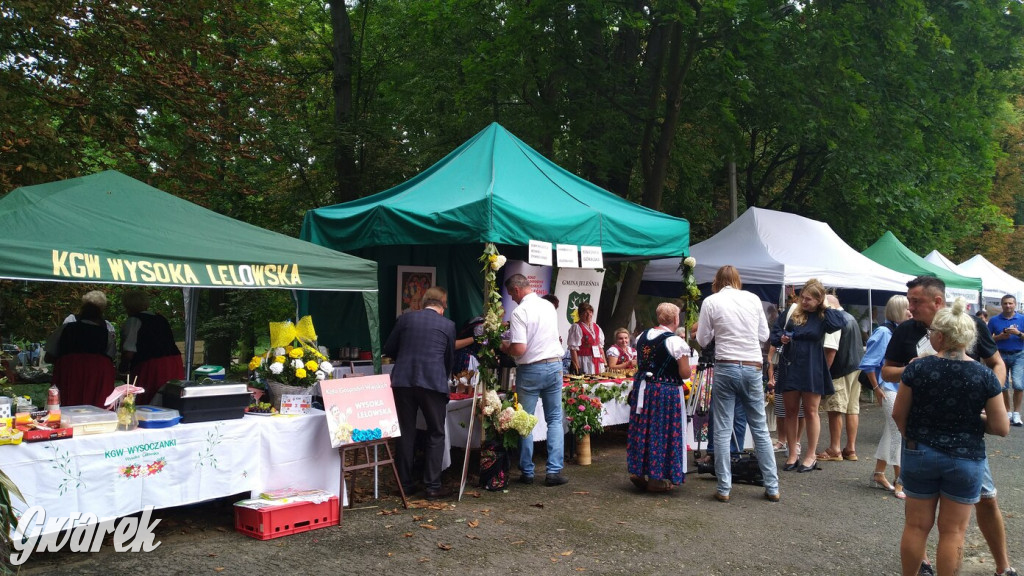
872, 116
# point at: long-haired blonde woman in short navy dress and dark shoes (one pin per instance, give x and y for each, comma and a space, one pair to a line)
804, 375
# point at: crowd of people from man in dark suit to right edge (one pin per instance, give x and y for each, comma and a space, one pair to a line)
938, 374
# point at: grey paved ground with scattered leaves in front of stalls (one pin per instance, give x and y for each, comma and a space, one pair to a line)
829, 522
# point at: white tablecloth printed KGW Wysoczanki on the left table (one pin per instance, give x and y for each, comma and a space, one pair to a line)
119, 474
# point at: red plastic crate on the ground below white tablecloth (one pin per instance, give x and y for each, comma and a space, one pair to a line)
281, 521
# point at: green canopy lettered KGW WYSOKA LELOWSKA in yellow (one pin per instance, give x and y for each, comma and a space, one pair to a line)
109, 228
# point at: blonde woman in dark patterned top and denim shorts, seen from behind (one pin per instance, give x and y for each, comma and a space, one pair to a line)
938, 410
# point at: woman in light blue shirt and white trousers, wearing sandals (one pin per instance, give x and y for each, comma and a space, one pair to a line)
885, 394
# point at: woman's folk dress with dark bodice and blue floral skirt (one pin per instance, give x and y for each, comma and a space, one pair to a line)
657, 445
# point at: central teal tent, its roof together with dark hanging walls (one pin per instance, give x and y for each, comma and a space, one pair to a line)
494, 188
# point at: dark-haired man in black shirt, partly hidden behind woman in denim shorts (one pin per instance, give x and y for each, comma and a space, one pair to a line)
927, 296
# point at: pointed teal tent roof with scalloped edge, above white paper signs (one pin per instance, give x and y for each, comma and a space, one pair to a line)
495, 188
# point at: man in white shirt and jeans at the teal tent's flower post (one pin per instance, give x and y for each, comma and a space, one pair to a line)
534, 344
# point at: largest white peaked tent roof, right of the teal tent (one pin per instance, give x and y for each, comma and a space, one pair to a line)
779, 249
